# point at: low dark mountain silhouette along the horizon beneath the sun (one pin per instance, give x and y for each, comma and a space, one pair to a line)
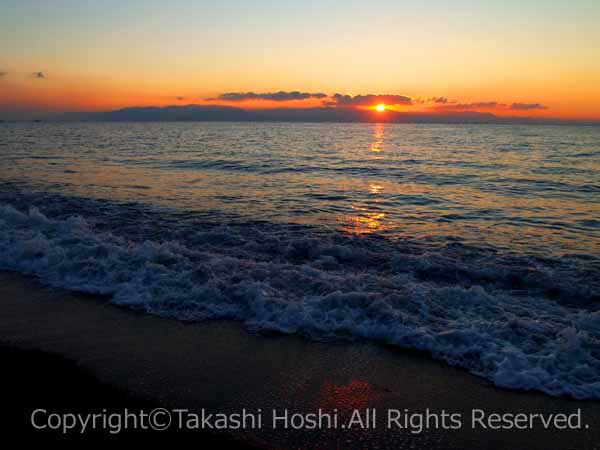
216, 113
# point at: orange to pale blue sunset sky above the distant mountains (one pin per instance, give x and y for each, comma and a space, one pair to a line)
509, 57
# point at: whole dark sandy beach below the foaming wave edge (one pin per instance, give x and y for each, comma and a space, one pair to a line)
70, 350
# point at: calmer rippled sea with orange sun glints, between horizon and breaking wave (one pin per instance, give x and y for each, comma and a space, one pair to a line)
537, 195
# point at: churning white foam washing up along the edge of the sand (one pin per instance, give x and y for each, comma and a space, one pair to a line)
313, 287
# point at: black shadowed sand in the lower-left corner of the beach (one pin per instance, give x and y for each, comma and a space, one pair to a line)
32, 379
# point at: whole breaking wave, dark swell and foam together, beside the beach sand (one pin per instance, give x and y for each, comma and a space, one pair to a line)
522, 323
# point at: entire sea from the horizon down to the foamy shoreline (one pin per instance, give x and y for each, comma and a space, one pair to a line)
477, 244
